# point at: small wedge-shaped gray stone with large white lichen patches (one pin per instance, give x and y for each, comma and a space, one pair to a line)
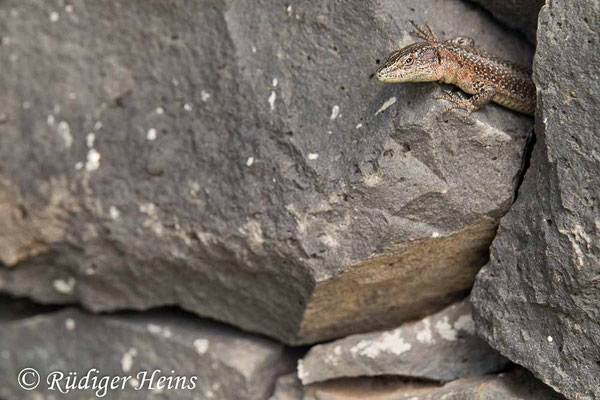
441, 347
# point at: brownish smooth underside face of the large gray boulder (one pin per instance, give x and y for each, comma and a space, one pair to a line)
399, 285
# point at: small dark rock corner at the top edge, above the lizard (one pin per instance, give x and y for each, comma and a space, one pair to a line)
518, 14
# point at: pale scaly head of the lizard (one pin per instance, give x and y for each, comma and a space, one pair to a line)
417, 62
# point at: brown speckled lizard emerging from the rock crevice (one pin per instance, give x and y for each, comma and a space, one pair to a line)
458, 62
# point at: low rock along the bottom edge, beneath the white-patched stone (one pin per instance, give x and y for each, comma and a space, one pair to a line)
515, 385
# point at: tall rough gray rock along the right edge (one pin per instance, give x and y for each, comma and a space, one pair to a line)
537, 301
